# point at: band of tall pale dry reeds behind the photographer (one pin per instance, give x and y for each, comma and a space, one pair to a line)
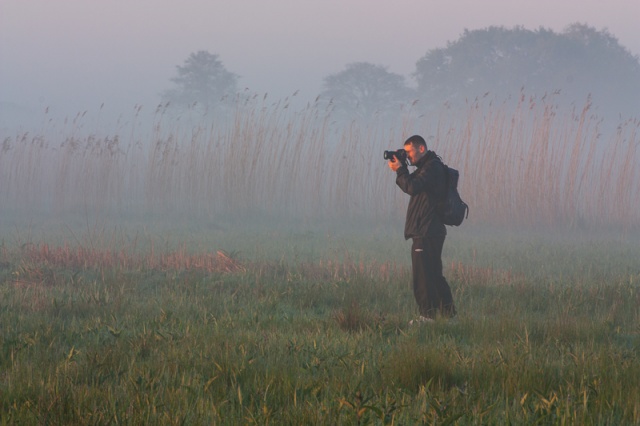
523, 164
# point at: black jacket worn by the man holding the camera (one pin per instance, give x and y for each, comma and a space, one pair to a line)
426, 186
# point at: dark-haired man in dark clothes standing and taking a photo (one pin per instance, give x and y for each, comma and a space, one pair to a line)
427, 187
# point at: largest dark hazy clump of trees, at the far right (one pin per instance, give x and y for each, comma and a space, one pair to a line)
576, 63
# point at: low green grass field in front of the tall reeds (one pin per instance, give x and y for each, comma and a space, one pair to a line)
313, 330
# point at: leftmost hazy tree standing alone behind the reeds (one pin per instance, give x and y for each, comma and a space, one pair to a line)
202, 80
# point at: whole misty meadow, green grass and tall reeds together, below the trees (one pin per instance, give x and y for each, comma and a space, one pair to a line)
254, 271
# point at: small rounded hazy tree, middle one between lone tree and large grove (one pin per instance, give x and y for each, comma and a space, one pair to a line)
365, 91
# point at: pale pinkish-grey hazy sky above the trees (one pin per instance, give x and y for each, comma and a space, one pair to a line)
76, 55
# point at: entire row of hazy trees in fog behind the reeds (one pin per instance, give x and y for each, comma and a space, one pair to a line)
577, 64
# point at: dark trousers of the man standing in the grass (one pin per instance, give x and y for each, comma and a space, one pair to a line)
430, 288
